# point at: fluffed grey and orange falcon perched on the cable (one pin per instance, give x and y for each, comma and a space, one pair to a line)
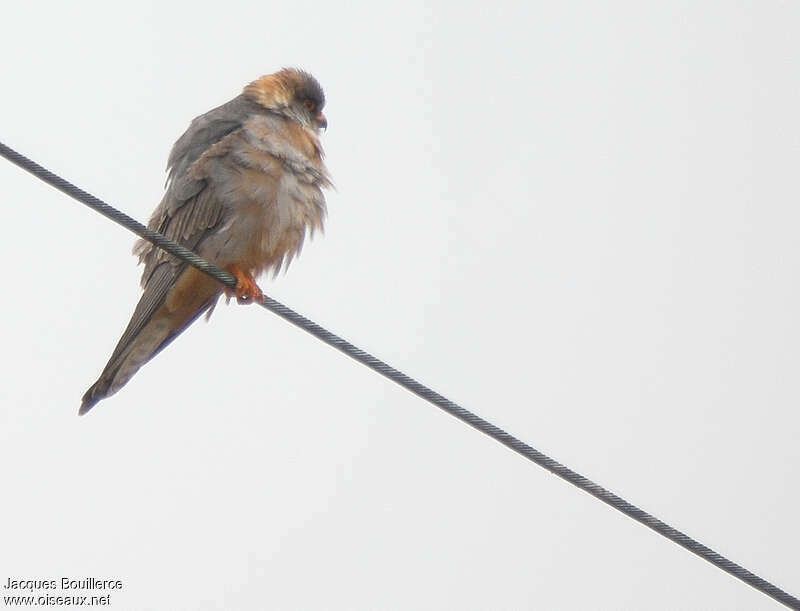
244, 186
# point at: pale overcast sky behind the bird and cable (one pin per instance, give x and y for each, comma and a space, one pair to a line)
577, 219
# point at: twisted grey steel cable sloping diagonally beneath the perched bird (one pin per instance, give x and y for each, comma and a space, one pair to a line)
411, 384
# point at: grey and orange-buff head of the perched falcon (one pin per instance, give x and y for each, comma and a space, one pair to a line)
292, 93
